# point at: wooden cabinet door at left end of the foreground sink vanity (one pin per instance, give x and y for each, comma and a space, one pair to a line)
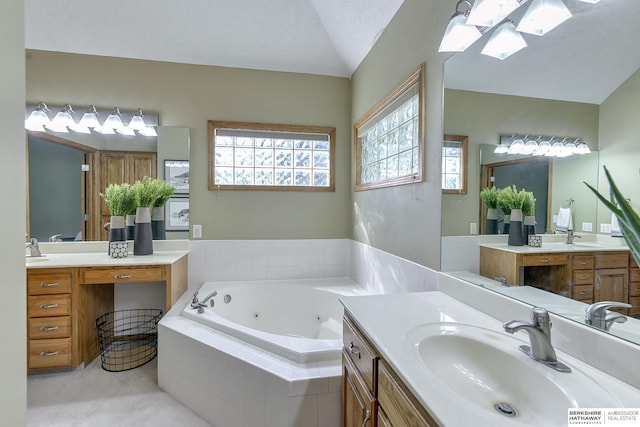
358, 406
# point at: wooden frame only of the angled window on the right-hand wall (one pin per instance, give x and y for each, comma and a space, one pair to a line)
374, 115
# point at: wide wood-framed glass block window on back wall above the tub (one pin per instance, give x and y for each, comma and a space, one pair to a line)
250, 156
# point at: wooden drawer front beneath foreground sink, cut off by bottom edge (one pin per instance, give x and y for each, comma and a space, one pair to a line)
397, 404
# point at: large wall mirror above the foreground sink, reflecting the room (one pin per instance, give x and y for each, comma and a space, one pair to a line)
579, 80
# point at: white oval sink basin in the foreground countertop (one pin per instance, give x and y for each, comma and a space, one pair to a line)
482, 373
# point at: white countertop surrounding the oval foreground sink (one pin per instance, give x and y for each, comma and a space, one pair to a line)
386, 319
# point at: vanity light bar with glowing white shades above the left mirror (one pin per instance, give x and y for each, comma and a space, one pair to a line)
92, 120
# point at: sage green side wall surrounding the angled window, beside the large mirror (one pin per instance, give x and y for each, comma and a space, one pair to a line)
405, 220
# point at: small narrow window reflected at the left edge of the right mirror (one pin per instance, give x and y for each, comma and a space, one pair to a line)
454, 164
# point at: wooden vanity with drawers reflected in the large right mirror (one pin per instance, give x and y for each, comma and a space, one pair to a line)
587, 275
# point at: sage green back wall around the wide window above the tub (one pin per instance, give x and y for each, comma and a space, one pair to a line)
188, 96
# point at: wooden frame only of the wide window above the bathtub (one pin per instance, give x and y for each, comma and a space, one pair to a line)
212, 125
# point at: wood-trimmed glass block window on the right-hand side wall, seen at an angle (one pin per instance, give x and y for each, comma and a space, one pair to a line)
389, 138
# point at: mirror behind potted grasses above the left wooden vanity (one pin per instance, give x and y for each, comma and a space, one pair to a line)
62, 204
